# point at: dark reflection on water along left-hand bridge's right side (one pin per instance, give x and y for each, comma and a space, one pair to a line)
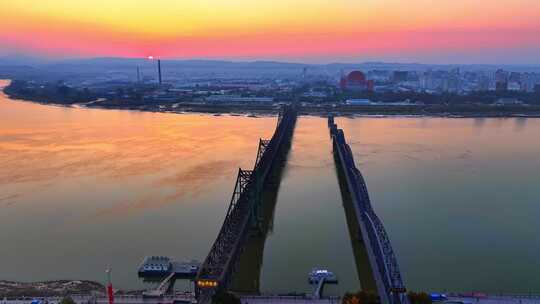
246, 279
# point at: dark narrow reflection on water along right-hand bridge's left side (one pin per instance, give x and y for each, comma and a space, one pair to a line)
363, 266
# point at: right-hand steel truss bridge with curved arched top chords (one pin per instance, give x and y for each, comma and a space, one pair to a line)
381, 256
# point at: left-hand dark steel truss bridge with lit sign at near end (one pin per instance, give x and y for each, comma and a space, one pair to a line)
243, 214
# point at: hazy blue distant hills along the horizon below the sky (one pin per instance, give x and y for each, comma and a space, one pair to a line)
32, 67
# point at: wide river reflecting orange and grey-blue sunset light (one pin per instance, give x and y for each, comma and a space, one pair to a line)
84, 189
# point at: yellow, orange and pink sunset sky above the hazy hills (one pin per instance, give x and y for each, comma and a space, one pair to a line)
441, 31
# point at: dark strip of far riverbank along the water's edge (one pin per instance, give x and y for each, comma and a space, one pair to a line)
466, 110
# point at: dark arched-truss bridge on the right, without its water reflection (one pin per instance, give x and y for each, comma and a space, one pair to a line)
378, 238
